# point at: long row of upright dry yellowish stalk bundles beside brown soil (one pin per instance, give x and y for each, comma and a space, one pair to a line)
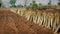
48, 18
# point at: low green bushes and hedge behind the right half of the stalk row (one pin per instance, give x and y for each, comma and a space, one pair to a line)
39, 6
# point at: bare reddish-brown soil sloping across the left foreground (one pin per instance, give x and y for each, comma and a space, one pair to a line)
11, 23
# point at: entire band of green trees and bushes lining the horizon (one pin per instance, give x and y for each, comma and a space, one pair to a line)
32, 5
